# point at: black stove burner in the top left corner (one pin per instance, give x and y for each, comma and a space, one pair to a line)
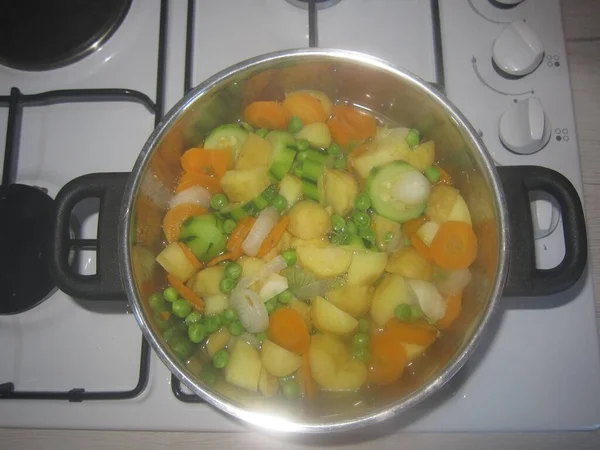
47, 34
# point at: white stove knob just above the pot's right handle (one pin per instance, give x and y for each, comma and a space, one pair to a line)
525, 128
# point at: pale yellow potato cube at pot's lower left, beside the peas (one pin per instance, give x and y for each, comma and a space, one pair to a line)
243, 369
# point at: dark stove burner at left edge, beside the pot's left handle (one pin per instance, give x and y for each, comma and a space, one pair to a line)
26, 219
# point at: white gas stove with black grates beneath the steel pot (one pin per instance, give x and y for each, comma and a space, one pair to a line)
72, 363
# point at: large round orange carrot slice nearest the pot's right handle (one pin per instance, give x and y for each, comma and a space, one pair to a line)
454, 245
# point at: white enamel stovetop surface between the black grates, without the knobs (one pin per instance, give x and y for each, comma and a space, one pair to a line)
538, 369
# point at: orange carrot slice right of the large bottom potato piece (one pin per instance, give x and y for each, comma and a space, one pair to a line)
388, 358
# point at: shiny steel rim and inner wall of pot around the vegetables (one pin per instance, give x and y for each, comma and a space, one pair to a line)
390, 94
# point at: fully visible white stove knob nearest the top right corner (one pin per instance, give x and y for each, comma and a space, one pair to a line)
517, 51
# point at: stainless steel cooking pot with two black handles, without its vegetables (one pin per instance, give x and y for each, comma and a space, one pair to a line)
132, 206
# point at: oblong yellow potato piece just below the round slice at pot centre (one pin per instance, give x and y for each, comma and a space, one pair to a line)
326, 262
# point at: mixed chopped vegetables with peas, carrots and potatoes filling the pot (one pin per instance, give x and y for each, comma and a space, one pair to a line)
310, 248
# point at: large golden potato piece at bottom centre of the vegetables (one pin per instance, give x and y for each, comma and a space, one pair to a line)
332, 367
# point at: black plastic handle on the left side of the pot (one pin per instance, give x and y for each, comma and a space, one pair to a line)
106, 283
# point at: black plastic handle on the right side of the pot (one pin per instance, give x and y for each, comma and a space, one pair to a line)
524, 279
